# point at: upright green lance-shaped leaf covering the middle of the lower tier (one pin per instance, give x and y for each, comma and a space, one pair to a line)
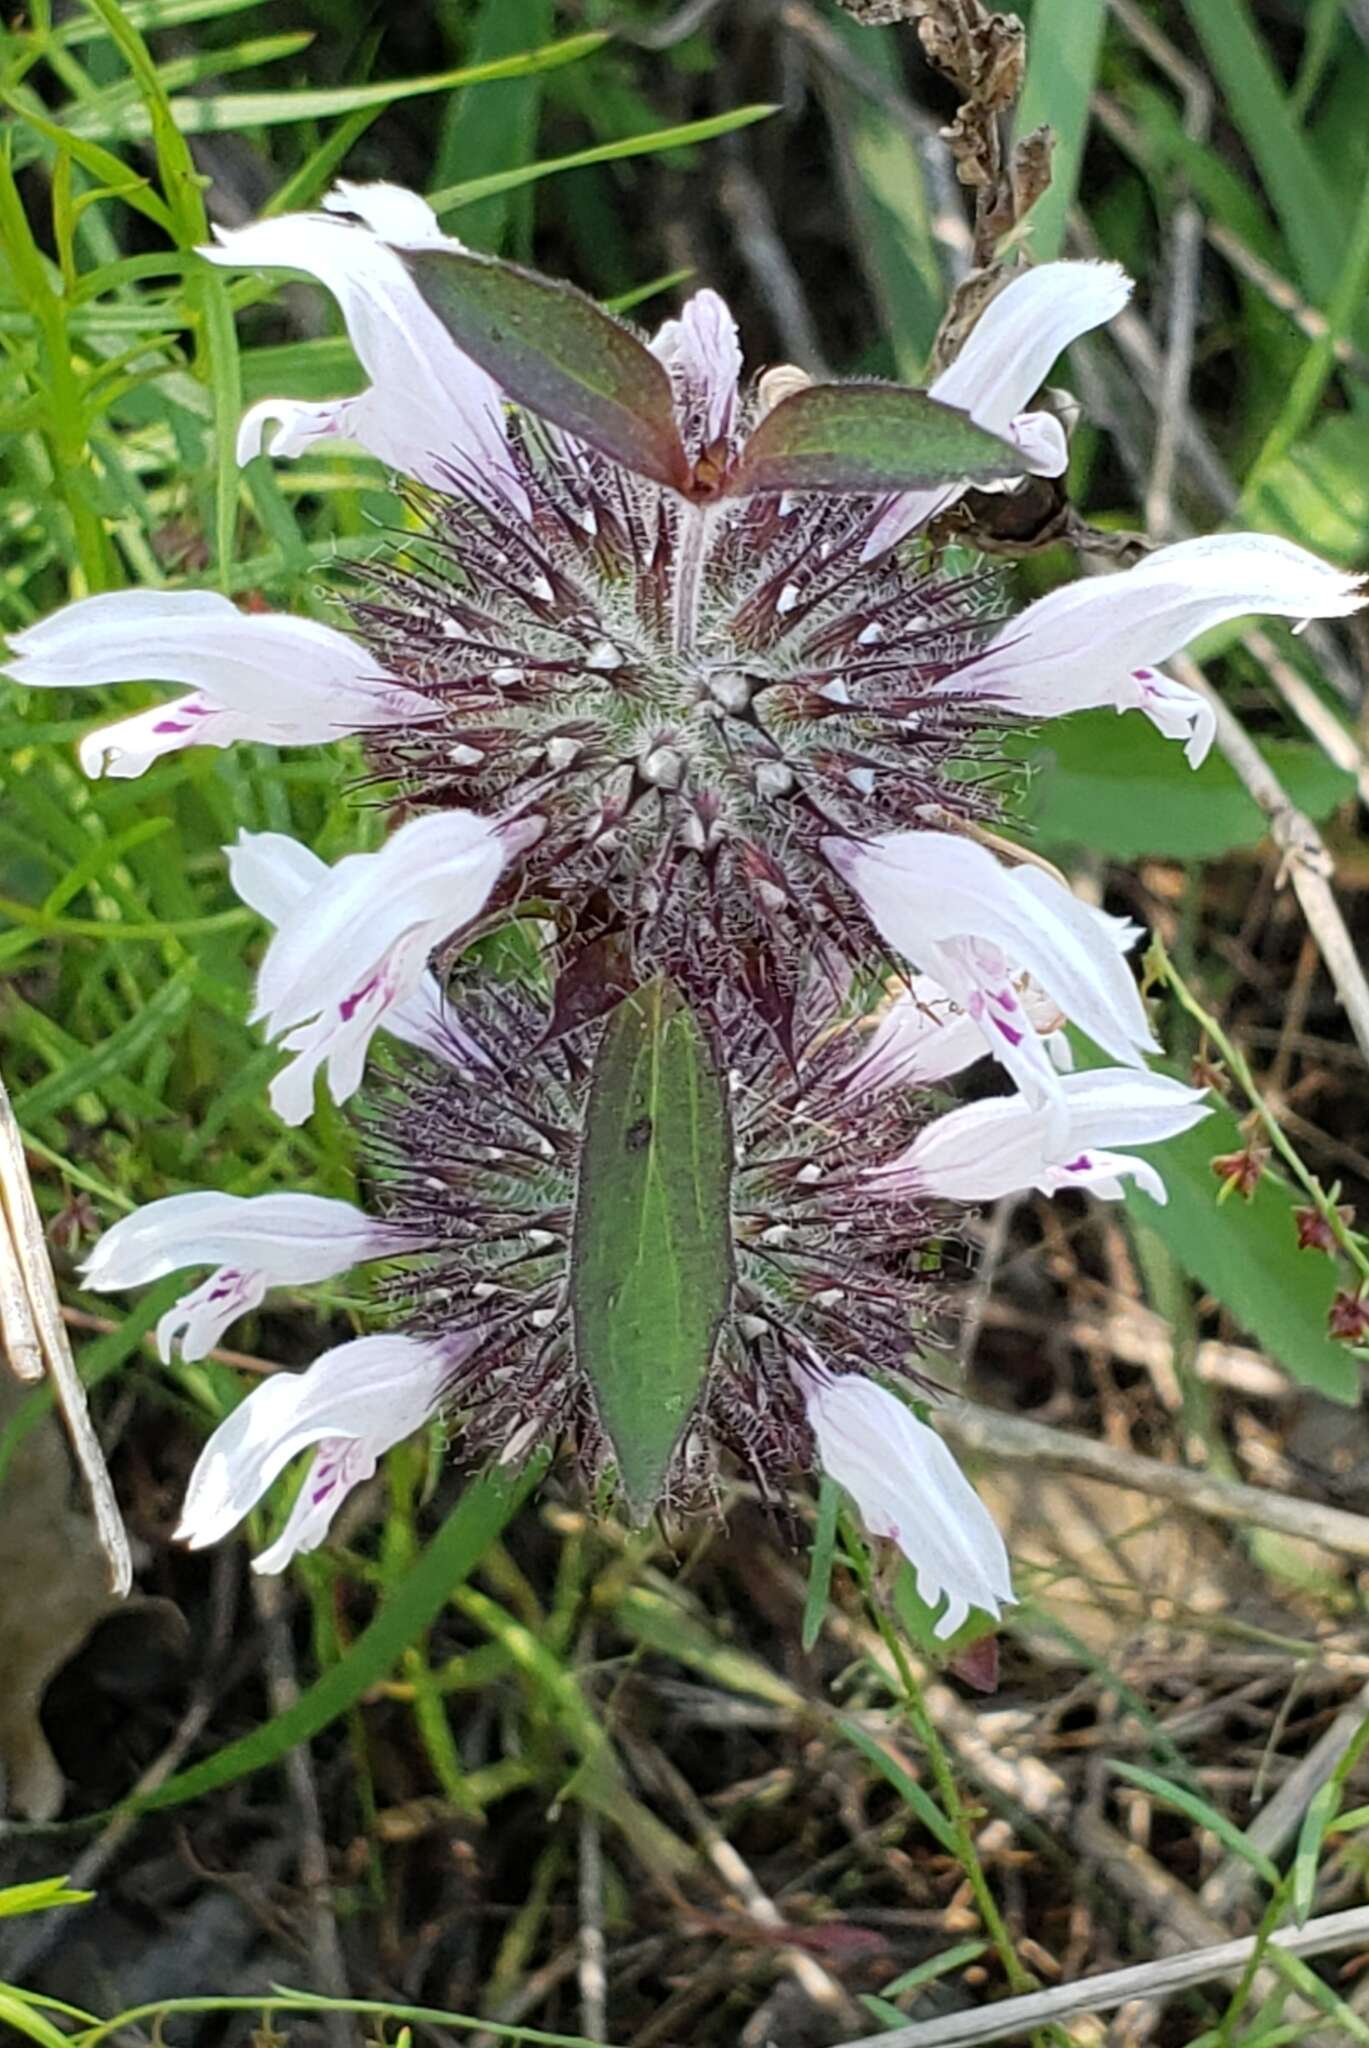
653, 1240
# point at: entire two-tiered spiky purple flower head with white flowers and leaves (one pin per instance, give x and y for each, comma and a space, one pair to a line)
667, 671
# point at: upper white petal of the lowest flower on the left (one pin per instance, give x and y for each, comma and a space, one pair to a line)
372, 1392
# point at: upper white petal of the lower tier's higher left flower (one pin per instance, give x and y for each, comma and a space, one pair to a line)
292, 1238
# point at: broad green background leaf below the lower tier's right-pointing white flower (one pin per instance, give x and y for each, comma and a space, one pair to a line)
1247, 1256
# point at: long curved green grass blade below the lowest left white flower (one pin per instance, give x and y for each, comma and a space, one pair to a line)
409, 1611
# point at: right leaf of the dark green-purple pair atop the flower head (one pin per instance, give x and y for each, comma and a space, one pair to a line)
868, 437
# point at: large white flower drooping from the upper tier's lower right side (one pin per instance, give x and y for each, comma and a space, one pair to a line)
977, 927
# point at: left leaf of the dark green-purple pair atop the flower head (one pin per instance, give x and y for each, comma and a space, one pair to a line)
561, 355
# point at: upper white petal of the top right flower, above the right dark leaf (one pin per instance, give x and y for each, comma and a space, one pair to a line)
1013, 345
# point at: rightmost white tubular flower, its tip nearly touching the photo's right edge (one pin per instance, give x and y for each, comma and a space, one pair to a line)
1095, 642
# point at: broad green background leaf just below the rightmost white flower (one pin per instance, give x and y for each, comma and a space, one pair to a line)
1122, 790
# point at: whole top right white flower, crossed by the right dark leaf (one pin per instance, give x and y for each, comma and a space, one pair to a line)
1005, 361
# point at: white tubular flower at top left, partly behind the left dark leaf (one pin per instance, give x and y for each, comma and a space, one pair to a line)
429, 411
